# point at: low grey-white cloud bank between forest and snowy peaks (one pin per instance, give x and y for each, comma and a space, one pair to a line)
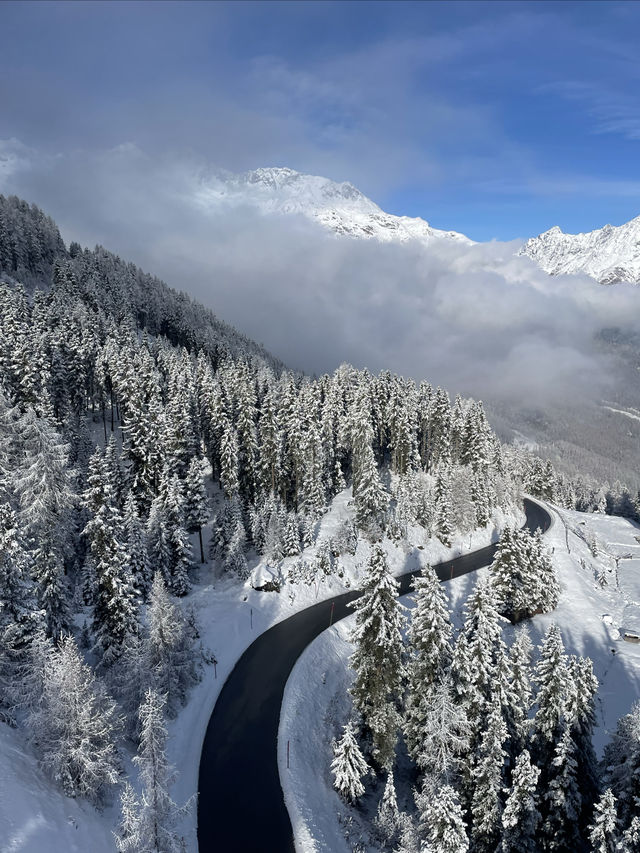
476, 319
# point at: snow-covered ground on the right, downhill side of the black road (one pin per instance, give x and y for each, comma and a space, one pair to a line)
591, 615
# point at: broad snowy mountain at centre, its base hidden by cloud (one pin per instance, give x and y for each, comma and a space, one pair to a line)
339, 207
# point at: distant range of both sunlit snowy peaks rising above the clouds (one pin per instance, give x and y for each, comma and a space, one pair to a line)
610, 254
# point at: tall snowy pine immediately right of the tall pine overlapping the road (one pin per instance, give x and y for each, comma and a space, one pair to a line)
430, 650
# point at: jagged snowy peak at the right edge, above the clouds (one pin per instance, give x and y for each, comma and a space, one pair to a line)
610, 254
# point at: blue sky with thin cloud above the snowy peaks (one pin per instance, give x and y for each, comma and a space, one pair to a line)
495, 119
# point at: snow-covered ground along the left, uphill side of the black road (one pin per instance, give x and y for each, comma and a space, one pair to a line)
35, 816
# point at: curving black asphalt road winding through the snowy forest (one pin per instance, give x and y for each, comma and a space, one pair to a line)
240, 805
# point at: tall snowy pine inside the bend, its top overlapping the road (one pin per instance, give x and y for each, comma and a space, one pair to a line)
377, 659
